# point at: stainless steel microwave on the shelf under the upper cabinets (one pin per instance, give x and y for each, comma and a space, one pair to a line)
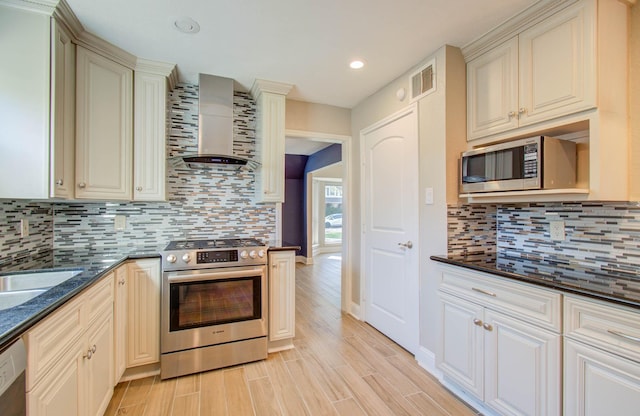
539, 162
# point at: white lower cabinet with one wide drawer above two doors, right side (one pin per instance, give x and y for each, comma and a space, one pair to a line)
500, 343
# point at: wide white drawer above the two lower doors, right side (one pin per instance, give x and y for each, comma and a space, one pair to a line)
532, 304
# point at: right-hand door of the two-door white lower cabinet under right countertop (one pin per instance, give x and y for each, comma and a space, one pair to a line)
522, 367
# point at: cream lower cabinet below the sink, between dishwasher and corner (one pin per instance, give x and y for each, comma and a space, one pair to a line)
70, 356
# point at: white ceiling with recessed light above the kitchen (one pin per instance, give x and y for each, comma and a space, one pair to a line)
300, 42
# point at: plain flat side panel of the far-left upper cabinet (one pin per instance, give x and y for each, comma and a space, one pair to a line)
24, 86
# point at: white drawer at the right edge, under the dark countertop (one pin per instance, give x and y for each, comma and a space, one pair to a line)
611, 327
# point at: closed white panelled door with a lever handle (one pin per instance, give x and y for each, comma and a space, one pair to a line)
390, 216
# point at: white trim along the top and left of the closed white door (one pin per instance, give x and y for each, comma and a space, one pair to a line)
413, 107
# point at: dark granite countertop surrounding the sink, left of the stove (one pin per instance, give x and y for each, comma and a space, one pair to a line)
94, 263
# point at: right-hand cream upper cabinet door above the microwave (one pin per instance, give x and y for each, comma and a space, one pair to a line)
558, 65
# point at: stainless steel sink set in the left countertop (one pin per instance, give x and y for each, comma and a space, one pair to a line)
18, 288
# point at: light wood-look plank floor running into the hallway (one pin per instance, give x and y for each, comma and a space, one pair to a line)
340, 366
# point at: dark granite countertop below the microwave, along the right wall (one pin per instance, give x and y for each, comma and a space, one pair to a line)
620, 286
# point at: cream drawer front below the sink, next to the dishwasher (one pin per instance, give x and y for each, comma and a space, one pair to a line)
48, 341
